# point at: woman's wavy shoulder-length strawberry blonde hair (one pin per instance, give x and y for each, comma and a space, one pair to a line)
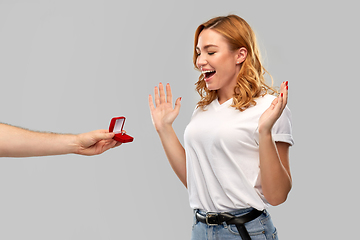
250, 80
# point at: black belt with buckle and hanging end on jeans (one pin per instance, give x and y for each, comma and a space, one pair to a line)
213, 219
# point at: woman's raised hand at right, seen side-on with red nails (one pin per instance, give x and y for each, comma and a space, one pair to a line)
271, 115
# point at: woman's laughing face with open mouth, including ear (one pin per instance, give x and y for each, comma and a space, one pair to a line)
219, 65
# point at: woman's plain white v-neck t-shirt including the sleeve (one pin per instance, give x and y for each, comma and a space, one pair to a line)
222, 155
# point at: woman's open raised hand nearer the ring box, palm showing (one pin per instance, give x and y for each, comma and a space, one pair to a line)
163, 113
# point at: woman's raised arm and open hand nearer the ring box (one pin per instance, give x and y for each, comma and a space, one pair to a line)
163, 115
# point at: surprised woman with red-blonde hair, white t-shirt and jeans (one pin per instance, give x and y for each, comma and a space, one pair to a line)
236, 157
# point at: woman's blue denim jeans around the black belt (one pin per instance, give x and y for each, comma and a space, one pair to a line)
260, 228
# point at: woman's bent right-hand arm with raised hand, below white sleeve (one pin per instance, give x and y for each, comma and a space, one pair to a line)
274, 157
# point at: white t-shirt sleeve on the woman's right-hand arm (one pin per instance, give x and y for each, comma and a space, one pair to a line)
282, 129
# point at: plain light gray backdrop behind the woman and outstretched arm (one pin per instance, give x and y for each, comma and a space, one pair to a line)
70, 66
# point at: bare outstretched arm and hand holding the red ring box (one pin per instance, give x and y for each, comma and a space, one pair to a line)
19, 142
